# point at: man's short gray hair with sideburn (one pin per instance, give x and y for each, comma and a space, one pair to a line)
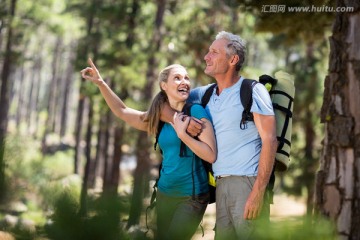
236, 45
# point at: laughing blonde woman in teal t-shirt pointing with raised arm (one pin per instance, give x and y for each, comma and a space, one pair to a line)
183, 186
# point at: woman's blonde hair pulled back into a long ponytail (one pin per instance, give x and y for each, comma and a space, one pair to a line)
153, 114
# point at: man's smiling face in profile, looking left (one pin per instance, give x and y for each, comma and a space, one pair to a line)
217, 62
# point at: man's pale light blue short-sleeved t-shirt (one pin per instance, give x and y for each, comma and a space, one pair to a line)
238, 150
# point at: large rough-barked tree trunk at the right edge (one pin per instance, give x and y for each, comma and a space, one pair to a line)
338, 180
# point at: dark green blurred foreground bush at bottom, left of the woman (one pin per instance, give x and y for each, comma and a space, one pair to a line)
101, 224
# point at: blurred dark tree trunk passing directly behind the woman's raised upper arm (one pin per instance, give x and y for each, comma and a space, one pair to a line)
141, 175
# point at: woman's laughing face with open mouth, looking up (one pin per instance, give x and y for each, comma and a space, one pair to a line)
178, 84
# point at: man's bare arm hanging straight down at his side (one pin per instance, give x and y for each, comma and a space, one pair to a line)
266, 125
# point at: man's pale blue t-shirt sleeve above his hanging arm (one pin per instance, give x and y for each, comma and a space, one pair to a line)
261, 101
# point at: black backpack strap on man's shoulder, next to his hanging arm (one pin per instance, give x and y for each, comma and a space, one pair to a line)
246, 90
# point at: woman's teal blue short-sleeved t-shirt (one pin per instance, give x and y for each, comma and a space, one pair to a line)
176, 172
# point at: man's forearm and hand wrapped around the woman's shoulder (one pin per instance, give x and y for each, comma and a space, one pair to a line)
195, 125
